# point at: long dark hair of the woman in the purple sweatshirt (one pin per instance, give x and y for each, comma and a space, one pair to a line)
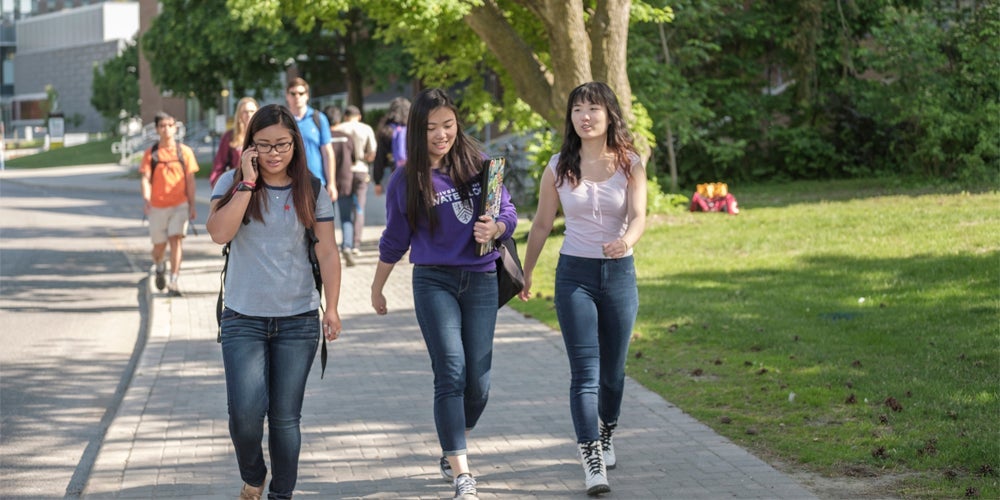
463, 161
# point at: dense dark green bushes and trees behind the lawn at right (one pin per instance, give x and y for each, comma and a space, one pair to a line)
869, 88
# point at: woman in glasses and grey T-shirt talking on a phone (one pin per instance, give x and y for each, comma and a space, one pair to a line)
270, 325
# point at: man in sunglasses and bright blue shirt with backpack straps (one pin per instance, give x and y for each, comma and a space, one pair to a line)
315, 131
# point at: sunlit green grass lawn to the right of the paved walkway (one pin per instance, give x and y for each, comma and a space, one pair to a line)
849, 327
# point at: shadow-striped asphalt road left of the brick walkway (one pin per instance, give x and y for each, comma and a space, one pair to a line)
72, 306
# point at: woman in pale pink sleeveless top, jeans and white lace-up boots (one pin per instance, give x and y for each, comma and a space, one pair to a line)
600, 182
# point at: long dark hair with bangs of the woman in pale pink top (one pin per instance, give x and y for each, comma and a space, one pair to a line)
619, 138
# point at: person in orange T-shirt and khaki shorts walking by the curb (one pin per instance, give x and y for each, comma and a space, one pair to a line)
168, 188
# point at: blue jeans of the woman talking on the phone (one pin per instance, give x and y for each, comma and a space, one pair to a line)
267, 363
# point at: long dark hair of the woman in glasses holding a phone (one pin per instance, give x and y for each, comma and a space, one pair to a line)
303, 198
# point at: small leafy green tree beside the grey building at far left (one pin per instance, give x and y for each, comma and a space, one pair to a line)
116, 87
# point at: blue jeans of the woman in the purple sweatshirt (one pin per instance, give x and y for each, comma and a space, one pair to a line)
457, 313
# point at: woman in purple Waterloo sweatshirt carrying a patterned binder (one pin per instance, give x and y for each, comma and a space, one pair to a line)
431, 210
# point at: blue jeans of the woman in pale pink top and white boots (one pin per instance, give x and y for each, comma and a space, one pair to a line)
596, 303
